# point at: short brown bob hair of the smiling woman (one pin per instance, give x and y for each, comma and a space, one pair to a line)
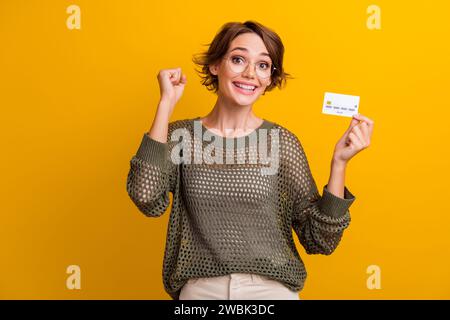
220, 45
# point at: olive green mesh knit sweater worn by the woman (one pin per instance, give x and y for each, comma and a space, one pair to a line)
230, 217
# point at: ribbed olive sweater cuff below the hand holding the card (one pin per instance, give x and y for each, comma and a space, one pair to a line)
333, 205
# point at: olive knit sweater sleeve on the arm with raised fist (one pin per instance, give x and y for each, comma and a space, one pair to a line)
152, 176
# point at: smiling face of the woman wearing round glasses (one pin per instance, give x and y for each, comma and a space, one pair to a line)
247, 47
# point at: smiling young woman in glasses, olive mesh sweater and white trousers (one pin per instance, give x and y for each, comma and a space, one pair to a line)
230, 227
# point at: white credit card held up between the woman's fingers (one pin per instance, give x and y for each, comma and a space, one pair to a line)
340, 104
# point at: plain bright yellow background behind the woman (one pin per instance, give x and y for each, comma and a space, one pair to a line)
75, 104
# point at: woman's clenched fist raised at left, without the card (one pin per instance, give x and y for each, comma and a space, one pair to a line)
171, 87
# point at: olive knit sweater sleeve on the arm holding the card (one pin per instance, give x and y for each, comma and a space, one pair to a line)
319, 221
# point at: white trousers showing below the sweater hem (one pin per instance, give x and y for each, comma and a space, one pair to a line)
236, 286
